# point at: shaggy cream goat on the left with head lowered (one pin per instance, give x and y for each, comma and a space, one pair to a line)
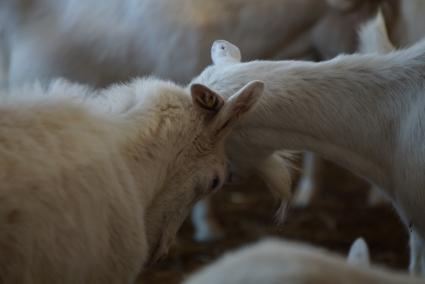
94, 185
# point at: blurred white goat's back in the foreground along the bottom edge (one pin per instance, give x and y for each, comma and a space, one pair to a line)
276, 261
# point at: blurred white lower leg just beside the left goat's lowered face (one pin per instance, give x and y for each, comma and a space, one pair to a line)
205, 226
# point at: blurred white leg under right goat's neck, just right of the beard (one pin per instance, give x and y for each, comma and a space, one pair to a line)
307, 186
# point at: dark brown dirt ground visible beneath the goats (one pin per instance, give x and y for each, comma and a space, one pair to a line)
339, 214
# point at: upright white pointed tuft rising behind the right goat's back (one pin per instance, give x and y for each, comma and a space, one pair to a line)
373, 36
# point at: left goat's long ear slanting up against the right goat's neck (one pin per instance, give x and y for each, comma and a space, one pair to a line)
238, 105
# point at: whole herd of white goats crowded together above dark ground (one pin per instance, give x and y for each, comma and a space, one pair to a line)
97, 175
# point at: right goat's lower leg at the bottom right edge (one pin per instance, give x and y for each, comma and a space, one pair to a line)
417, 254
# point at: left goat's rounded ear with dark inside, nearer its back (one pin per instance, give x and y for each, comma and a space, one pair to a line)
206, 99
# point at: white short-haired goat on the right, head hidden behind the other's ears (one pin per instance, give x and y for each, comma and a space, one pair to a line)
363, 112
